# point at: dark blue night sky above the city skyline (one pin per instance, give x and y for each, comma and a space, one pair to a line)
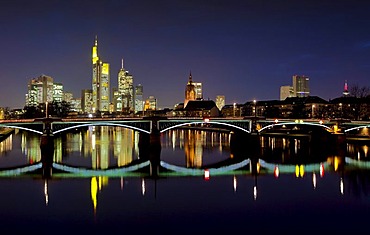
243, 49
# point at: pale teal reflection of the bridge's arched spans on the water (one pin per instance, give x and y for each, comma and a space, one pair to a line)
243, 167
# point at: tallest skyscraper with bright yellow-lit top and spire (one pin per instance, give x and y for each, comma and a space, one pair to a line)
100, 82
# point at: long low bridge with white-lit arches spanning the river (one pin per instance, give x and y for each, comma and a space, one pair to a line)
162, 124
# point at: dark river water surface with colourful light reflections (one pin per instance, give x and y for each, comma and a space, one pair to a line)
328, 193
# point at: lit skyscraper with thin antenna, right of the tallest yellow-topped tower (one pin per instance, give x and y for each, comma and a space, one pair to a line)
126, 90
